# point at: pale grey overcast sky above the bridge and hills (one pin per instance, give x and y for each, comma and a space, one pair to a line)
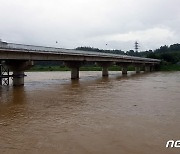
106, 24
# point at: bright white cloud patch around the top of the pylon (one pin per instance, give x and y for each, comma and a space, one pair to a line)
148, 39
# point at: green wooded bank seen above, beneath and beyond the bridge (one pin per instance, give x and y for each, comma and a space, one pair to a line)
169, 56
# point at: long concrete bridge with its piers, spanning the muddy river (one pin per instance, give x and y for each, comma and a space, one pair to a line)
20, 57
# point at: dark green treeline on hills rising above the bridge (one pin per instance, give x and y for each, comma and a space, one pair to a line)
169, 54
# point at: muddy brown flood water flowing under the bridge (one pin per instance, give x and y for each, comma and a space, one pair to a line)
134, 114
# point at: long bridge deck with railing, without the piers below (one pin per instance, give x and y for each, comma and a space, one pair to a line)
51, 50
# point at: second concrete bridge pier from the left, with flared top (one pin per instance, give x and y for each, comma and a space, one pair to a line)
74, 66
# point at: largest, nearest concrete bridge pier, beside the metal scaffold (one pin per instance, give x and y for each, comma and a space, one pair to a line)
18, 67
